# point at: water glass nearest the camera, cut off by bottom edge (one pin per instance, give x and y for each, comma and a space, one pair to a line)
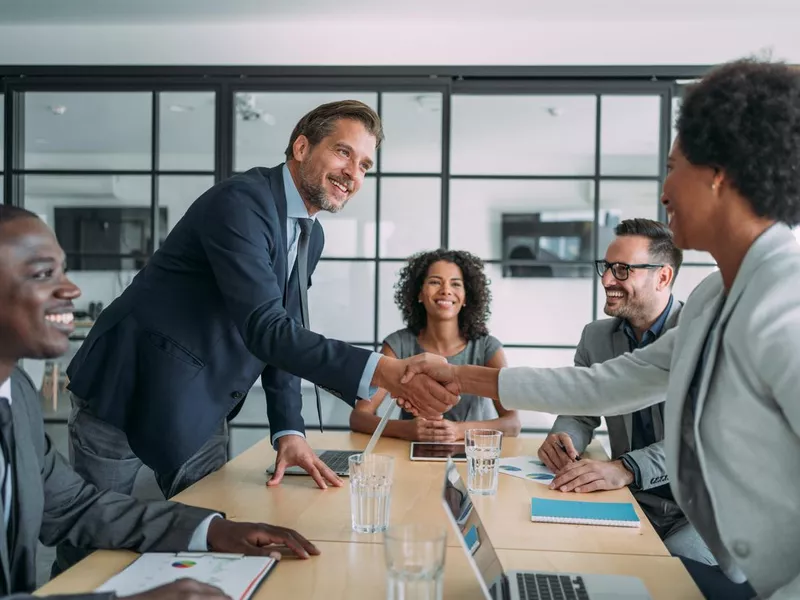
414, 561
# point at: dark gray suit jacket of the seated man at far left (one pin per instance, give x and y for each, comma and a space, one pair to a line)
54, 504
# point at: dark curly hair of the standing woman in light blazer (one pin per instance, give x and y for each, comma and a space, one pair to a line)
743, 118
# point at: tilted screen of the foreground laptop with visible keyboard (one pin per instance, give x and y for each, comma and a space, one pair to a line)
465, 517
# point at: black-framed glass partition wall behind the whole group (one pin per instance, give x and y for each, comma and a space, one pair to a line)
531, 175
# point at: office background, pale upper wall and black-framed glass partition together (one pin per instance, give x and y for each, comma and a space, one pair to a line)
522, 137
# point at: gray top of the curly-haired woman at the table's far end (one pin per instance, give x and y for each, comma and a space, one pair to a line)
478, 352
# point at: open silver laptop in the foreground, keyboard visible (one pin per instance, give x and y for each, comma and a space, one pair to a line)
497, 584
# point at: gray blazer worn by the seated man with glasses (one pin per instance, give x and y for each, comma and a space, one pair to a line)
603, 340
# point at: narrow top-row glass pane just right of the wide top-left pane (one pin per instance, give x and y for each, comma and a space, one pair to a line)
186, 121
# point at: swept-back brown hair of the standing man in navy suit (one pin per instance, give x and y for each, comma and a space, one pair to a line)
320, 122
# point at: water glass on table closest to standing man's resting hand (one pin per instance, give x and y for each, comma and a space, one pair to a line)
370, 491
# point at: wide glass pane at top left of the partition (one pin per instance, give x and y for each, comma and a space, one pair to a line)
88, 130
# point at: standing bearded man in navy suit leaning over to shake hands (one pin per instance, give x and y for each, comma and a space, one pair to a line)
170, 361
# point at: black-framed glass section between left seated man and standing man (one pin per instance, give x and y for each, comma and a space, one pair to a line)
95, 165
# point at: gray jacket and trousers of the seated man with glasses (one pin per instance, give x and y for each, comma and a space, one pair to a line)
603, 340
